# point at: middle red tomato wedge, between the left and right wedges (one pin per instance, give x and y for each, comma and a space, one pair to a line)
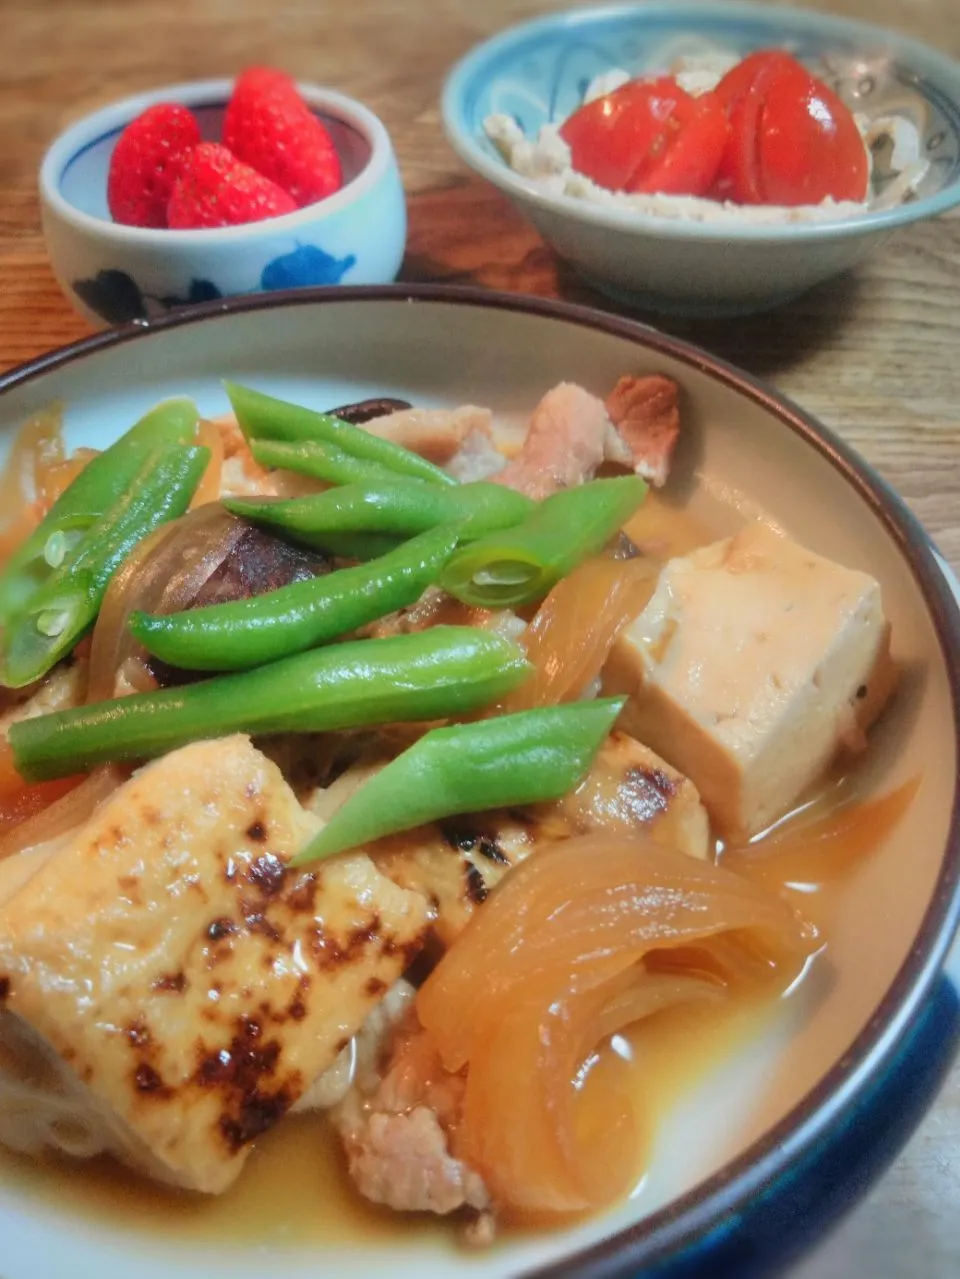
688, 158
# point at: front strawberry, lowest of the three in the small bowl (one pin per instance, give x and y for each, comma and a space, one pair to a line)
215, 190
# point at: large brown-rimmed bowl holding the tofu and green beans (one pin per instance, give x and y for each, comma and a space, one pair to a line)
746, 1165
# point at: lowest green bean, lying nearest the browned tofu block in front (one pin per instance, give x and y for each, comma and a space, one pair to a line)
467, 768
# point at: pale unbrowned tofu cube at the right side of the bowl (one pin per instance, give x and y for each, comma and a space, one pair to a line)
754, 664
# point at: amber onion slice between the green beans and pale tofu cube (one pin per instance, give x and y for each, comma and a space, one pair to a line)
572, 635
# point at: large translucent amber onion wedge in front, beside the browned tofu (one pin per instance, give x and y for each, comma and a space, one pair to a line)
567, 952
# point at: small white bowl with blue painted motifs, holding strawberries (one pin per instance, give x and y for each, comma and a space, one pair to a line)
114, 274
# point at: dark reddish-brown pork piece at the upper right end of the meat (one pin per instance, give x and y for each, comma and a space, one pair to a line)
647, 419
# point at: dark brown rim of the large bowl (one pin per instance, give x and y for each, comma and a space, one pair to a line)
696, 1214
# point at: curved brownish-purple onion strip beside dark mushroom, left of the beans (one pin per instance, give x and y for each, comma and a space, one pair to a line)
163, 575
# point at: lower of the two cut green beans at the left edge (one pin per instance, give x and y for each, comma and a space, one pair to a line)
67, 604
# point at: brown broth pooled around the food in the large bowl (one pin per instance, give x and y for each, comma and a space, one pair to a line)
295, 1190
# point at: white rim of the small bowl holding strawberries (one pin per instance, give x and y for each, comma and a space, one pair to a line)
93, 129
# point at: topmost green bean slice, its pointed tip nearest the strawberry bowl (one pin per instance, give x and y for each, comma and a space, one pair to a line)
267, 419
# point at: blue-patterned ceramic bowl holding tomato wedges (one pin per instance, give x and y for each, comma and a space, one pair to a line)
539, 72
